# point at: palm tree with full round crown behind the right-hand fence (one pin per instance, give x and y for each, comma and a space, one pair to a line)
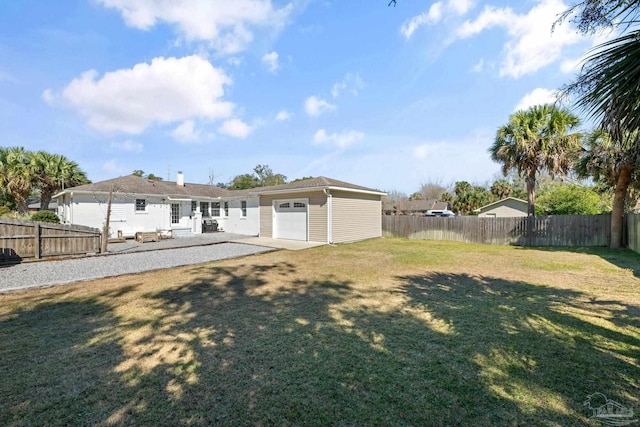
540, 138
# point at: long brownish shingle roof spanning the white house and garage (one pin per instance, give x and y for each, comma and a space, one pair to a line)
137, 185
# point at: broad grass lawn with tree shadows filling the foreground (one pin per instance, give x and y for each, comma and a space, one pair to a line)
382, 332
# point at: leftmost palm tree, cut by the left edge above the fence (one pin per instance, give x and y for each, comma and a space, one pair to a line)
17, 176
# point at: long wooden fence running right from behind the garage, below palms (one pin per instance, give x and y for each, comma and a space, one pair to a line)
557, 230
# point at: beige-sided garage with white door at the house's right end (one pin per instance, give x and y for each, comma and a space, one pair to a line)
320, 210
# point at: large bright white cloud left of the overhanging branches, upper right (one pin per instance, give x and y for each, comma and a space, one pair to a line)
531, 44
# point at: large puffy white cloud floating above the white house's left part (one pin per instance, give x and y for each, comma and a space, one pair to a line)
165, 91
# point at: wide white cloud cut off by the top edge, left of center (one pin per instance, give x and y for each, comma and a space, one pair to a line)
226, 25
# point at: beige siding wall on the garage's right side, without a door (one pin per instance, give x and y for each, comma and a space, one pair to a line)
355, 216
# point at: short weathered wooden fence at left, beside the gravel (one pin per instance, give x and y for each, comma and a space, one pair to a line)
28, 239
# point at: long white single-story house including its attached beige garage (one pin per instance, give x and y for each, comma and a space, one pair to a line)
316, 209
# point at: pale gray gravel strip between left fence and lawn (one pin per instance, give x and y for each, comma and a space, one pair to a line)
47, 273
